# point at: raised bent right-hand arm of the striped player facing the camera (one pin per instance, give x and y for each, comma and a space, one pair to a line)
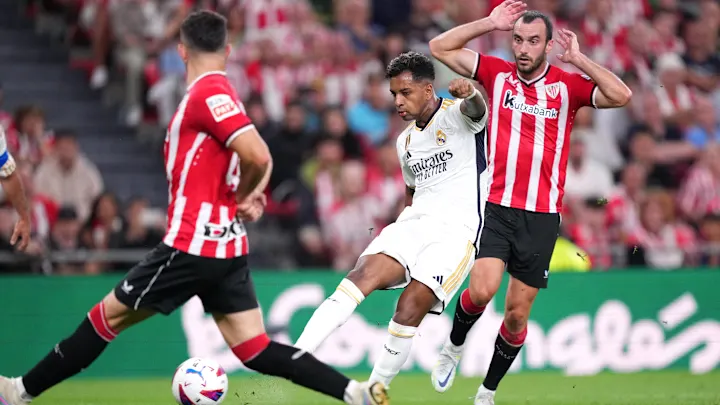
611, 91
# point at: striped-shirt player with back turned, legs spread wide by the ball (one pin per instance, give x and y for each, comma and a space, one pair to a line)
204, 252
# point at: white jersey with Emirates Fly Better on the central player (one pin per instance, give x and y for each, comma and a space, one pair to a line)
445, 163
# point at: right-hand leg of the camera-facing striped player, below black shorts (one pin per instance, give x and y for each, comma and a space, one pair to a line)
511, 337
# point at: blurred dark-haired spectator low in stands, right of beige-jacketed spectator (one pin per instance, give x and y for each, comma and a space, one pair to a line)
103, 230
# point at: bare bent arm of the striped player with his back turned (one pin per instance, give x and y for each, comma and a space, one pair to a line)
255, 163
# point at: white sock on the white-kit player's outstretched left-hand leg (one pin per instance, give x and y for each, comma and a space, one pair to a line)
330, 315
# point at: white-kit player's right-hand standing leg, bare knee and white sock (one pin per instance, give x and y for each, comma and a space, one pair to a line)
415, 302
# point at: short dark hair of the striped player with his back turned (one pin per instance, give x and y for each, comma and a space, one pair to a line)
204, 31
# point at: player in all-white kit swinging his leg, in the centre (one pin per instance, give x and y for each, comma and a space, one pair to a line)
431, 247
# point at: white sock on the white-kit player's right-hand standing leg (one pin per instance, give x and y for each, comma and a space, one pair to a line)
395, 353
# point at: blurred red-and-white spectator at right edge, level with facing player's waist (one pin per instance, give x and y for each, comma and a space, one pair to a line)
700, 193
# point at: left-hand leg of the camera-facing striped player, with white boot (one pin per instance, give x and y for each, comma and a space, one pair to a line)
485, 280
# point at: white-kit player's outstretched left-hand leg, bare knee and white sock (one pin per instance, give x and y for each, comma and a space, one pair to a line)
371, 273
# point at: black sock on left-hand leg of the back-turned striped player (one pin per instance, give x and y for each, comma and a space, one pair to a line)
67, 358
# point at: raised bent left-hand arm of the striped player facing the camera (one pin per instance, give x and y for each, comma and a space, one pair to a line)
448, 46
